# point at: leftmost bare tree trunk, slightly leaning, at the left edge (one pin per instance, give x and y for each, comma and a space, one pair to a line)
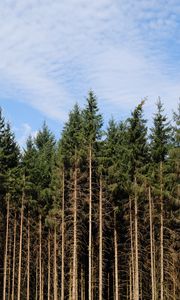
6, 250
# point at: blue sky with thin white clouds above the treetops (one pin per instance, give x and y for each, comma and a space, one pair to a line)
53, 51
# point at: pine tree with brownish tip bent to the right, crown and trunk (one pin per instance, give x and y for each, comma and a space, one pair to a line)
138, 159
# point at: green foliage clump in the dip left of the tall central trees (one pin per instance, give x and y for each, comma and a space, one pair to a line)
38, 162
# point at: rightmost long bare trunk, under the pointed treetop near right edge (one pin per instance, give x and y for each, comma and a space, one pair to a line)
161, 235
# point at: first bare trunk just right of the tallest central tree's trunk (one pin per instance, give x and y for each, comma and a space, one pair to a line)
100, 243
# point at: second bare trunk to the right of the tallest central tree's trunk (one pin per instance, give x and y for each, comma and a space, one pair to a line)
116, 260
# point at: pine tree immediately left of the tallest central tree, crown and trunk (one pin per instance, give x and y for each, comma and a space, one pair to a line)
71, 154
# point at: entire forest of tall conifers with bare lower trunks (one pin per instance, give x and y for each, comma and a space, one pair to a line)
94, 215
